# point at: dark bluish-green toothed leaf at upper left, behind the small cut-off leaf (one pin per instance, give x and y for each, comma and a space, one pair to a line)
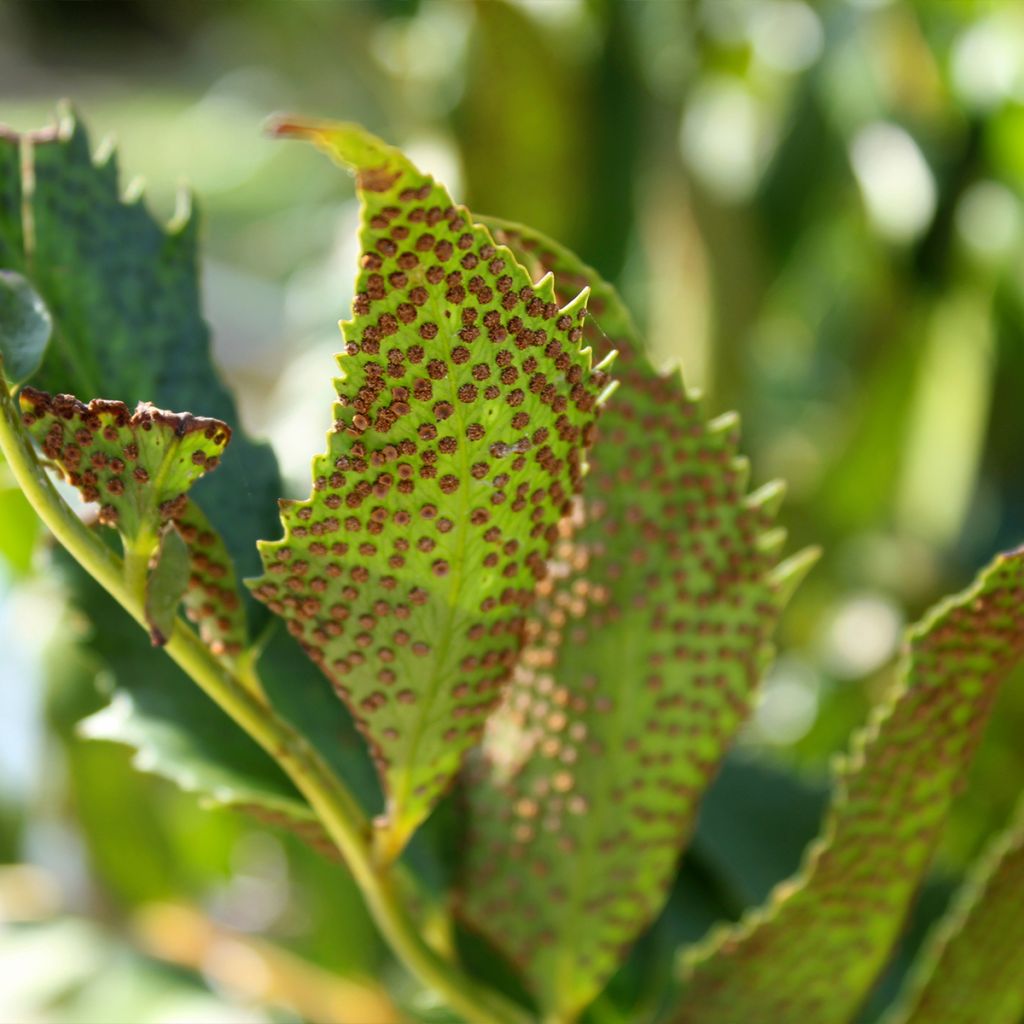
123, 292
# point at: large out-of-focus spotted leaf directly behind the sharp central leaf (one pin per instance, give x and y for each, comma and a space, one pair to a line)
645, 654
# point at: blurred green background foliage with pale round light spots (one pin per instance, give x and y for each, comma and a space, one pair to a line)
817, 207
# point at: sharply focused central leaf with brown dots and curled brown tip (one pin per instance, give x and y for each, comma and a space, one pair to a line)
465, 410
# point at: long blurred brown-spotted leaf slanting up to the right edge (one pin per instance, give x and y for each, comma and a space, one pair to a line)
816, 951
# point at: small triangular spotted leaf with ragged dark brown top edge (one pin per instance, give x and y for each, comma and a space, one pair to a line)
115, 457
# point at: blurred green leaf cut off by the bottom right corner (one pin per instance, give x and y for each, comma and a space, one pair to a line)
972, 971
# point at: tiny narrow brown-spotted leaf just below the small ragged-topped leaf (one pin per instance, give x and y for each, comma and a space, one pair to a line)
212, 601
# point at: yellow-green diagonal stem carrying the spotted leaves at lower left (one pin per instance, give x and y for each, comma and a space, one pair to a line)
332, 802
